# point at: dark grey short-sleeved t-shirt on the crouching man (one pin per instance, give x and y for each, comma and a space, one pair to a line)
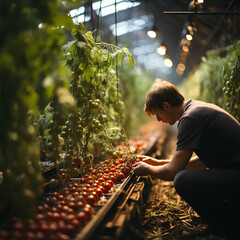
210, 132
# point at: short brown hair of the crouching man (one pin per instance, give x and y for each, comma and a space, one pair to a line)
160, 92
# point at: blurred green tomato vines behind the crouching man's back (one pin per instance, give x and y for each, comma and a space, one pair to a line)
217, 79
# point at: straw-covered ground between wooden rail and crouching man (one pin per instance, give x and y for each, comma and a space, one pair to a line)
168, 217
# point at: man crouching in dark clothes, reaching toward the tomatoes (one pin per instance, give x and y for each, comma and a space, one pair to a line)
210, 181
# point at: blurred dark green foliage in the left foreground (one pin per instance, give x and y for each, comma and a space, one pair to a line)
29, 53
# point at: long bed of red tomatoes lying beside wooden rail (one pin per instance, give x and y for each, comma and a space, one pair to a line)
65, 213
